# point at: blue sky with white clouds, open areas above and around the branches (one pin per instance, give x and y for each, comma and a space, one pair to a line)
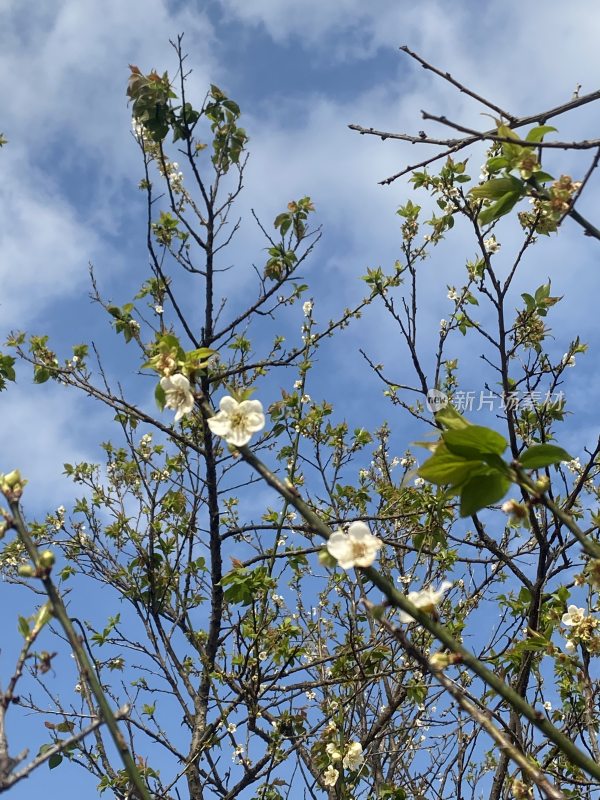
300, 72
